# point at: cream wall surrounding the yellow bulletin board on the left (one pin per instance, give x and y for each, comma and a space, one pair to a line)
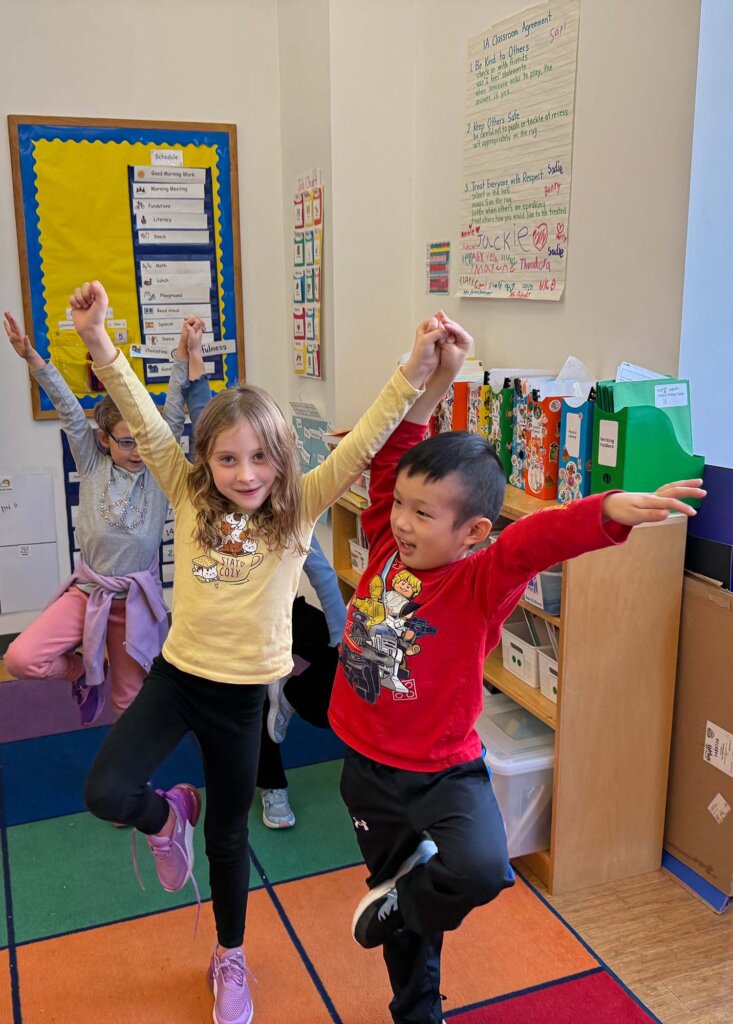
171, 60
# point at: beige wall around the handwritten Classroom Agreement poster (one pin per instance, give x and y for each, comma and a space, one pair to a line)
631, 173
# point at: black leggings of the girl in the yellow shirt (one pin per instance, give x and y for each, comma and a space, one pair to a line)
227, 720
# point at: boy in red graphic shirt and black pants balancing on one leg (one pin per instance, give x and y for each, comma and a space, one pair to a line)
410, 685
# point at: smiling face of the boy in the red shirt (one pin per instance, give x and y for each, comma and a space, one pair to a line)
423, 522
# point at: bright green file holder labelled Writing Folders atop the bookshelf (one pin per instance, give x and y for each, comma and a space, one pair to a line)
637, 449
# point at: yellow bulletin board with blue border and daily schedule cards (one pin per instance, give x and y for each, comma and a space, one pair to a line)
152, 210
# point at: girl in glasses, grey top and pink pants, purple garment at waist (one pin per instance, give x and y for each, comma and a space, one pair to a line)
114, 599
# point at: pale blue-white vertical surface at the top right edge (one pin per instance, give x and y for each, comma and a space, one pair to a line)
707, 351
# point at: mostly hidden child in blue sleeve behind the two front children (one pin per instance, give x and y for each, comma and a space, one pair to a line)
317, 637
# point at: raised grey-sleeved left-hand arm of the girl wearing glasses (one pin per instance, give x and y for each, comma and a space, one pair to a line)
74, 421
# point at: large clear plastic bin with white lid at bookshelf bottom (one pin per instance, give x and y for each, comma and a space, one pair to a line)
521, 755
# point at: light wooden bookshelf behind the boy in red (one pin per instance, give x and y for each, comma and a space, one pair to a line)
619, 628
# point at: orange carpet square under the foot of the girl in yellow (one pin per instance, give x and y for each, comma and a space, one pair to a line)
153, 971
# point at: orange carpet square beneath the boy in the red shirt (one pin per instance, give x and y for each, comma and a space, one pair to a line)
512, 945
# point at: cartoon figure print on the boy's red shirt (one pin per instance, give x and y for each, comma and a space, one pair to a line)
382, 632
